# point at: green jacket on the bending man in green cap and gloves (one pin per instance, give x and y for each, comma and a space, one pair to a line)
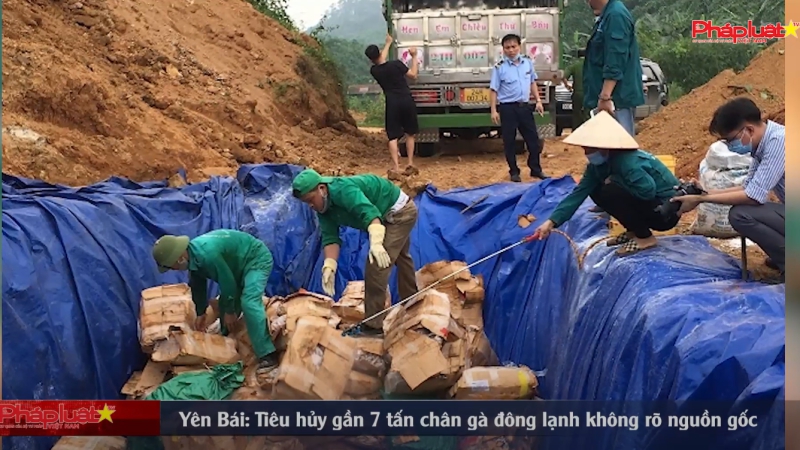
355, 202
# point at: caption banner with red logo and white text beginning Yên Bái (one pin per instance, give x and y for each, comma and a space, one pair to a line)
710, 420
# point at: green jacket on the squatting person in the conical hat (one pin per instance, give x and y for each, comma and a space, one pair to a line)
641, 174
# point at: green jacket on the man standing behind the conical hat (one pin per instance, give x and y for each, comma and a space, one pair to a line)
612, 53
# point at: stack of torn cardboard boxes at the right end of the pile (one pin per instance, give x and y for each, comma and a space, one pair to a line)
437, 346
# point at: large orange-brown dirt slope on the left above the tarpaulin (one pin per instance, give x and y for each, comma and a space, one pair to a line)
141, 89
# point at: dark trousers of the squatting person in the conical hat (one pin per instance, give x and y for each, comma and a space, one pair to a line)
636, 215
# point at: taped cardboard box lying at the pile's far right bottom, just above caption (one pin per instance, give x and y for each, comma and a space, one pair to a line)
496, 383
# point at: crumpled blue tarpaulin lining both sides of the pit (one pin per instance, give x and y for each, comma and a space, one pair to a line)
671, 323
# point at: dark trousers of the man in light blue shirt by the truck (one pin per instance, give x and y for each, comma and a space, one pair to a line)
519, 116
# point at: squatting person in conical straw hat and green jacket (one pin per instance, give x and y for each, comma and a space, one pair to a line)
628, 183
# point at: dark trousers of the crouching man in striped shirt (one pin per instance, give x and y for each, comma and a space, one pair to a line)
765, 225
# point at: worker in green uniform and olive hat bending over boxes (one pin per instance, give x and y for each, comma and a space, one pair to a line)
241, 265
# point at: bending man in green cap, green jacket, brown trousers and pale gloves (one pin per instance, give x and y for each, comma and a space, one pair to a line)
372, 204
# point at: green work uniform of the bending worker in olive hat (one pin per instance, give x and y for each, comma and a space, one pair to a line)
241, 265
